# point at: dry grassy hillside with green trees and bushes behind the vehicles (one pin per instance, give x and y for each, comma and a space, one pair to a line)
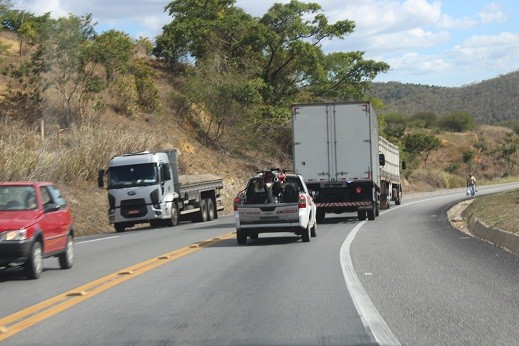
218, 85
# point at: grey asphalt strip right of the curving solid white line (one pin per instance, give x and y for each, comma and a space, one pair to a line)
433, 284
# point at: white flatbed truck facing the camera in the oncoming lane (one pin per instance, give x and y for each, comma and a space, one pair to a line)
146, 187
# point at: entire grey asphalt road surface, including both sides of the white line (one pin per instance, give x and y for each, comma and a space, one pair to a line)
408, 277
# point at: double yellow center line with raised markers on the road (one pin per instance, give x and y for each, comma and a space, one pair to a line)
23, 319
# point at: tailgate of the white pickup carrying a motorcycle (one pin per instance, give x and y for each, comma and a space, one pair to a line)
281, 213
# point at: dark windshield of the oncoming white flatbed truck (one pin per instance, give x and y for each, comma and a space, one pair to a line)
132, 175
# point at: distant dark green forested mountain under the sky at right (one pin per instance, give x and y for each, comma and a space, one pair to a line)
489, 101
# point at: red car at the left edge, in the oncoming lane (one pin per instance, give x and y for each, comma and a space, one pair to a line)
35, 223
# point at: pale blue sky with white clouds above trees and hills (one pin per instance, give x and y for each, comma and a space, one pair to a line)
444, 43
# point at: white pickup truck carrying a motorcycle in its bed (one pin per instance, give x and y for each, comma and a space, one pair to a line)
274, 202
